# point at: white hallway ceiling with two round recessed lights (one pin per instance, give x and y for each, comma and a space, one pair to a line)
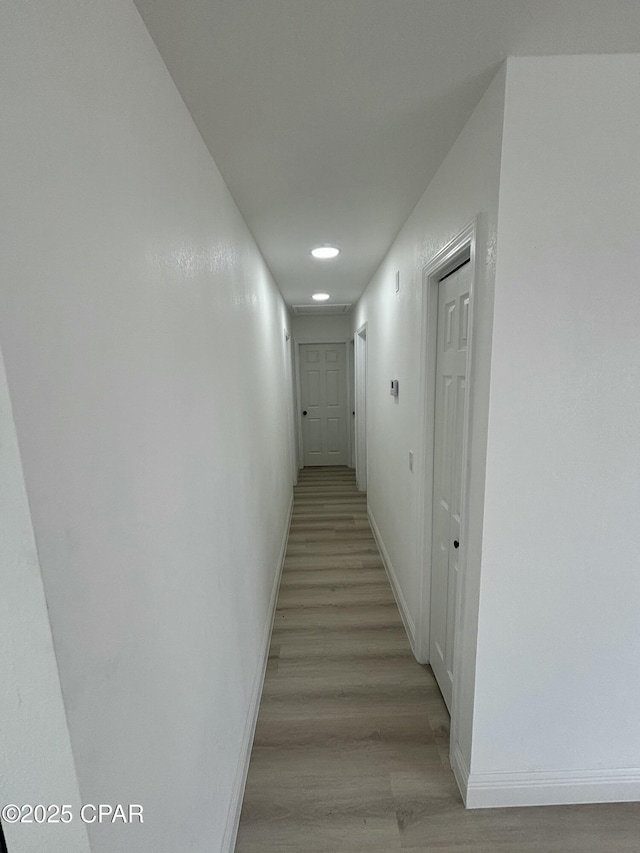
328, 118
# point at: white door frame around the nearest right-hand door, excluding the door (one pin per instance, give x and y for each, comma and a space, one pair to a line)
443, 262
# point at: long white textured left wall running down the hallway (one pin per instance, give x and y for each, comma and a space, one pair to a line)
145, 356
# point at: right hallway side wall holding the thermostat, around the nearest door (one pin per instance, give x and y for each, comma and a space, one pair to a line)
465, 186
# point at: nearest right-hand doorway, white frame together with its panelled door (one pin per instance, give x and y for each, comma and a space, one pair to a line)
446, 365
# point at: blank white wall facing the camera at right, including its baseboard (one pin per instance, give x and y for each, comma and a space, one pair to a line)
557, 689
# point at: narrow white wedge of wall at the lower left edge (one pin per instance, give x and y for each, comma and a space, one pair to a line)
36, 762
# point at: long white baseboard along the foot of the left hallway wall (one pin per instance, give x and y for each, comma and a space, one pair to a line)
235, 808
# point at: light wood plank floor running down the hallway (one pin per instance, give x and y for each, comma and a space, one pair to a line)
351, 746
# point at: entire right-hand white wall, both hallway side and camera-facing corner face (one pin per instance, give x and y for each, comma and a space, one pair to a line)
549, 635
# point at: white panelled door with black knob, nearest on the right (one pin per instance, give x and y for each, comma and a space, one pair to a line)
451, 367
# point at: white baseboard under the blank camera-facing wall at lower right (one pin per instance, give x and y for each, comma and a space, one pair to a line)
548, 788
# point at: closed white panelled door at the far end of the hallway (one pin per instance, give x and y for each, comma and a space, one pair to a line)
323, 386
